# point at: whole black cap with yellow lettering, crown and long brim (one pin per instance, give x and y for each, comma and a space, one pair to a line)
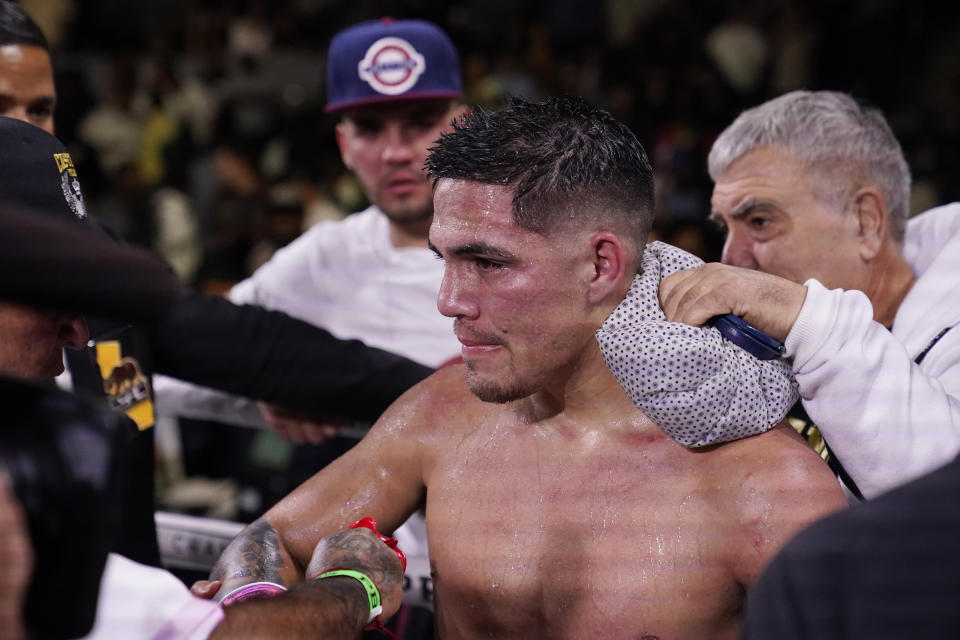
50, 254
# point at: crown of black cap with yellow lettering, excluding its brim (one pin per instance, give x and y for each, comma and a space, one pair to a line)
37, 173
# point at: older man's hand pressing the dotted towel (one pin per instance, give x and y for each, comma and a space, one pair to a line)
769, 303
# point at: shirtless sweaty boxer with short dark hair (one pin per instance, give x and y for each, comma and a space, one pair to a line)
554, 507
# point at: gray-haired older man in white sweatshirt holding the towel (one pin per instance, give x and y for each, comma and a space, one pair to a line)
813, 191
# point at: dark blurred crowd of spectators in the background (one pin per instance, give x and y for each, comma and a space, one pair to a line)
199, 126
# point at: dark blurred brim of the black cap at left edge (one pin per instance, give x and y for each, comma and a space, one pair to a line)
66, 265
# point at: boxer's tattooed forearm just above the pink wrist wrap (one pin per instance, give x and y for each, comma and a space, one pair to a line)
255, 553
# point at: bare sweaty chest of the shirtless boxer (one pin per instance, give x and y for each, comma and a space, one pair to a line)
572, 541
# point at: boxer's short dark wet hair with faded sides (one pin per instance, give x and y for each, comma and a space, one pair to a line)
564, 158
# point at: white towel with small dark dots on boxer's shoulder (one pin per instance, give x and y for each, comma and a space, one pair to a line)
698, 387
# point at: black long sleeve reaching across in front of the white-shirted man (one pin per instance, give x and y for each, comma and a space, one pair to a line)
267, 355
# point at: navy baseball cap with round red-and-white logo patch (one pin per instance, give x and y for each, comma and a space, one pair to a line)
385, 60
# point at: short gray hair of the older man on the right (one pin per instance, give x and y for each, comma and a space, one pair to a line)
848, 145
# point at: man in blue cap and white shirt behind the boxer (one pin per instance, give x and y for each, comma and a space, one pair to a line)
395, 86
